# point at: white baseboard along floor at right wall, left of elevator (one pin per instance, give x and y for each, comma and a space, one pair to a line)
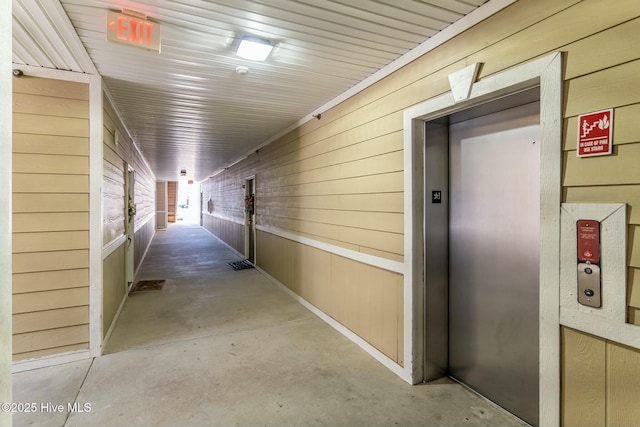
374, 352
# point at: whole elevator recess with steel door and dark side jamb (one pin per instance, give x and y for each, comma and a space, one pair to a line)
482, 250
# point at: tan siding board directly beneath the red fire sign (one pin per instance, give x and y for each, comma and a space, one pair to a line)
620, 168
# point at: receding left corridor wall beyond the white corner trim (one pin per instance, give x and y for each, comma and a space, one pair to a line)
116, 157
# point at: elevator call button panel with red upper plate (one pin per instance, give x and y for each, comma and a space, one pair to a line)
589, 278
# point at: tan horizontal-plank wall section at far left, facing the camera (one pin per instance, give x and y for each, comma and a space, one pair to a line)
50, 217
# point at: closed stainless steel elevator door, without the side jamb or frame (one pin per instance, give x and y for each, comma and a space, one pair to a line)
493, 256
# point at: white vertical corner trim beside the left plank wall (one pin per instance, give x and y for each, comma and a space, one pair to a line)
96, 157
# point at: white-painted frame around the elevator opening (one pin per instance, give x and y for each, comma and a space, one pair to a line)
545, 72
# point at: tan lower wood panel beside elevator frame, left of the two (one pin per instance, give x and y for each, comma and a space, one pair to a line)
583, 379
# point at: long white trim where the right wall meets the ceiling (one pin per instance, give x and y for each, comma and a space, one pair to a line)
460, 26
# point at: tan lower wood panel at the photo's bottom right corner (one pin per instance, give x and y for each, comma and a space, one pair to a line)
623, 386
